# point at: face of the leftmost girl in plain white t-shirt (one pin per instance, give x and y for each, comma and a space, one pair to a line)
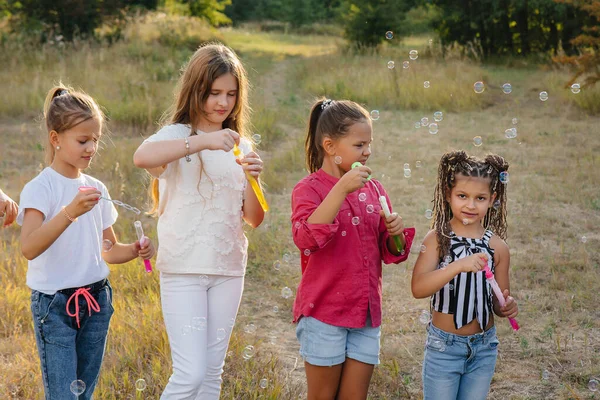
78, 145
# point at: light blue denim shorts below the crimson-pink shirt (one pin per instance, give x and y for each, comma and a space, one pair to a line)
326, 345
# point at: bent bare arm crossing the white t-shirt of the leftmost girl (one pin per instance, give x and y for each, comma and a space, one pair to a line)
37, 237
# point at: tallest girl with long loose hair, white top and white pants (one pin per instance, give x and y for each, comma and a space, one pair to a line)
204, 198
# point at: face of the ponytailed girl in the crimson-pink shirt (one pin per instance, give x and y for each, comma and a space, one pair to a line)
355, 146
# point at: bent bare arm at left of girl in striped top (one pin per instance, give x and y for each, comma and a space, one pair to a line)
427, 279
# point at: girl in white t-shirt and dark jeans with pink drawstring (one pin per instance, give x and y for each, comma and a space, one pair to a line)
63, 229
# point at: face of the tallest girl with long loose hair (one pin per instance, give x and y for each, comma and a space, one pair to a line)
221, 100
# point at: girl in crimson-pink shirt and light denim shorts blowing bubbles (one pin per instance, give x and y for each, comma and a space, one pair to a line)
343, 235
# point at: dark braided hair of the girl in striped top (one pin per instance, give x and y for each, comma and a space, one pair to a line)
459, 162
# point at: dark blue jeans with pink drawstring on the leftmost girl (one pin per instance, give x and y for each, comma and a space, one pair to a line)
67, 352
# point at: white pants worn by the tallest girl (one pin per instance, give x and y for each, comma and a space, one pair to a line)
199, 313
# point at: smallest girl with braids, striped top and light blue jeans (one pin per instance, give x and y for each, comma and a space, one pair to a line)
468, 231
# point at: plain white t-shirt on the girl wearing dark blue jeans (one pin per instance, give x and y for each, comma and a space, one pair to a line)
75, 258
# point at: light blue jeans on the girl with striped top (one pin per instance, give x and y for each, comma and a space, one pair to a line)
458, 367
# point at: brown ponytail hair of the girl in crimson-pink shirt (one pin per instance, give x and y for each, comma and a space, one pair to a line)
329, 118
